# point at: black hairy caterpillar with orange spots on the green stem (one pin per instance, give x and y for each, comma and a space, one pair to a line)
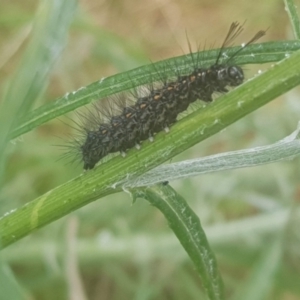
159, 109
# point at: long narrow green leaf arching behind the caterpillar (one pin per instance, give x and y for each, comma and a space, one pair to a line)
258, 53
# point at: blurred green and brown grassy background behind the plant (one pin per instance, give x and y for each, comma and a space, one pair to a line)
111, 249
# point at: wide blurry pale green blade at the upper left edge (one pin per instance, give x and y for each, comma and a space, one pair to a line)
49, 35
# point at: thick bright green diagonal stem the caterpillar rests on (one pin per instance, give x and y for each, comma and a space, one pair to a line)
112, 175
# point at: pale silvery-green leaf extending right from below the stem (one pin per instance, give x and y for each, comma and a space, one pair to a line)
285, 149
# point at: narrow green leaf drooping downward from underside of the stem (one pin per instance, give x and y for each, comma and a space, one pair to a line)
186, 226
